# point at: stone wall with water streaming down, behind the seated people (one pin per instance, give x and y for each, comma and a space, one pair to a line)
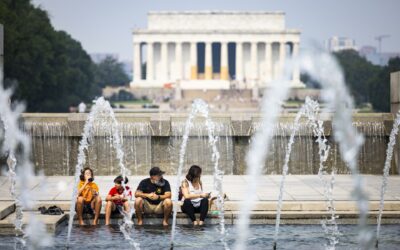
155, 139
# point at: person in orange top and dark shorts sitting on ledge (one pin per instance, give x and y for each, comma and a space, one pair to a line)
88, 196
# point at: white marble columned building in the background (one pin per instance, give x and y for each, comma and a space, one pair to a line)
213, 49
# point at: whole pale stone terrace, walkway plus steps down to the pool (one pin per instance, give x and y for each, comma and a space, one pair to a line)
304, 202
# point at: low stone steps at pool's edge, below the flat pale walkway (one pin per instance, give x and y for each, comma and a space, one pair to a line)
293, 212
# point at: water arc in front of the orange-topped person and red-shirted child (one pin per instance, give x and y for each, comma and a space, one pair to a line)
101, 111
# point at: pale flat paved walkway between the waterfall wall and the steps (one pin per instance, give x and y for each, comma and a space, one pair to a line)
297, 187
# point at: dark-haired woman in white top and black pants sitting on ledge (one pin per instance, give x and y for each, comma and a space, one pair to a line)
195, 200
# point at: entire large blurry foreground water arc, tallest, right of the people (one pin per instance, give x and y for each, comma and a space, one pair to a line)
323, 68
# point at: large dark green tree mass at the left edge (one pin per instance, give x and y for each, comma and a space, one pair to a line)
49, 70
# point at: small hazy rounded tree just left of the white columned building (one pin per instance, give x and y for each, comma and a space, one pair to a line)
110, 72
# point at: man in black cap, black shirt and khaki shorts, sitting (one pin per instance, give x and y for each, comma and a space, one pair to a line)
153, 196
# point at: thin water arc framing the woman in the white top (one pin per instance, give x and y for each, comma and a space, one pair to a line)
199, 107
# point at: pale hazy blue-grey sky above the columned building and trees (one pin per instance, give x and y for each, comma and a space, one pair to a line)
104, 26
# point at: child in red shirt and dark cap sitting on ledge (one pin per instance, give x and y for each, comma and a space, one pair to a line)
118, 198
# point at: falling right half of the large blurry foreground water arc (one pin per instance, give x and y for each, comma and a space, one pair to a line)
323, 68
